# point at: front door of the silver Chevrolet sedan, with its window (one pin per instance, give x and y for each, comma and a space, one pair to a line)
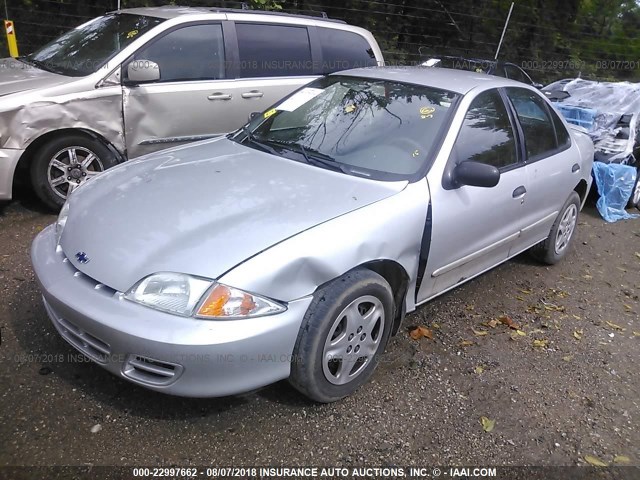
473, 228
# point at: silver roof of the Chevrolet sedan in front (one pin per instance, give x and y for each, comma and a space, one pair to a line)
458, 81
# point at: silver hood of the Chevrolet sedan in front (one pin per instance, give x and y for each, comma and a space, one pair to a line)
202, 209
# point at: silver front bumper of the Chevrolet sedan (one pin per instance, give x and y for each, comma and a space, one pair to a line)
163, 352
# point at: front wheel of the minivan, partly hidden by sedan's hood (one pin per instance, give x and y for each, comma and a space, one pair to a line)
42, 167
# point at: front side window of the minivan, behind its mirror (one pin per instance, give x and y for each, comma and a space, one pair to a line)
190, 53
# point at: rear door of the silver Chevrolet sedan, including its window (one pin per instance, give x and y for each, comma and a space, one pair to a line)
552, 168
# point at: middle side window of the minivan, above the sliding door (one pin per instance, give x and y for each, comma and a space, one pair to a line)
273, 50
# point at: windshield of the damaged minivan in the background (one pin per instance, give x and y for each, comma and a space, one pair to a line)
87, 48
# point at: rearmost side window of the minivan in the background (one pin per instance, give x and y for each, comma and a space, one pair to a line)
342, 50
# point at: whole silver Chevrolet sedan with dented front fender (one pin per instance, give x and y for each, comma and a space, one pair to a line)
294, 247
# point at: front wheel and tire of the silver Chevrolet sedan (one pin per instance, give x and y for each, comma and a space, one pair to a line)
327, 317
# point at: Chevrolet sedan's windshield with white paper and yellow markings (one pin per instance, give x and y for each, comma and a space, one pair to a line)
360, 126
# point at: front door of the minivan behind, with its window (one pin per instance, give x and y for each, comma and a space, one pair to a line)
190, 101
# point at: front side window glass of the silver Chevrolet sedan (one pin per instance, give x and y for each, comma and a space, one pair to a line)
486, 135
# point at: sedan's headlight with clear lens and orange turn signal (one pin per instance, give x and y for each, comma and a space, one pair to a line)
179, 293
